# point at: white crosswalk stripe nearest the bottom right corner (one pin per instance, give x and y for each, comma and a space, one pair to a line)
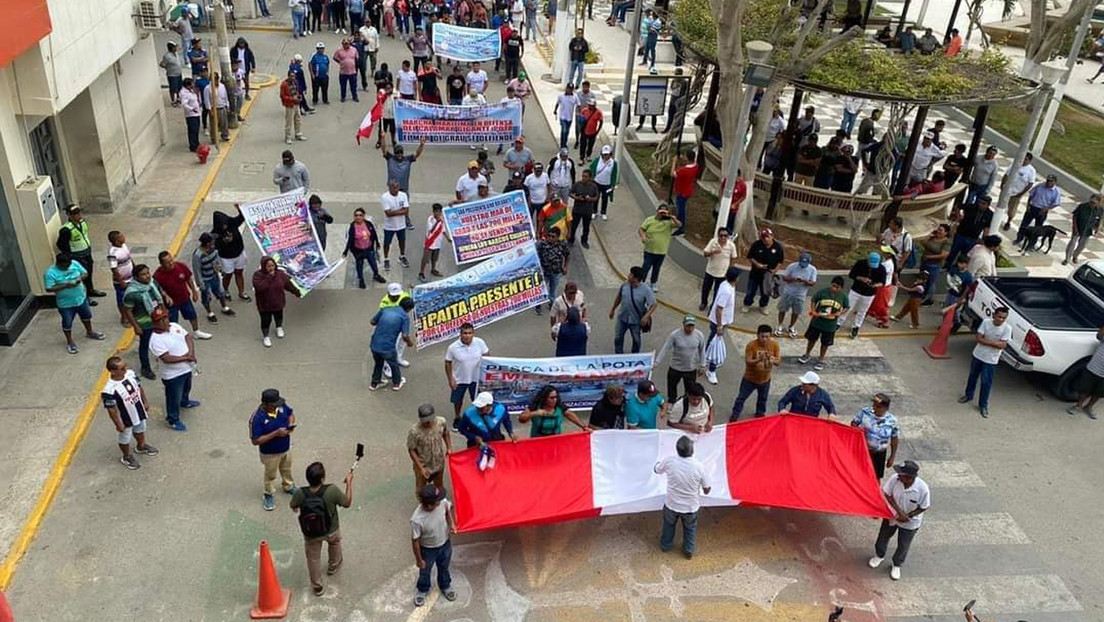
1002, 595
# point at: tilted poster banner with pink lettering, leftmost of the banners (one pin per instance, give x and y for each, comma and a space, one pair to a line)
283, 230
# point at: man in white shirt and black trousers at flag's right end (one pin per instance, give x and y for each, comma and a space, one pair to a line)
908, 498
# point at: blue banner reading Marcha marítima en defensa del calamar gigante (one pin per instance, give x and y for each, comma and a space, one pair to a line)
458, 125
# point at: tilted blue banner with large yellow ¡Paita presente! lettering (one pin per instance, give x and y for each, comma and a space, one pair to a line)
503, 286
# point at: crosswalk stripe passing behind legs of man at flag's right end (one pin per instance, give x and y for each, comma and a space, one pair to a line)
941, 531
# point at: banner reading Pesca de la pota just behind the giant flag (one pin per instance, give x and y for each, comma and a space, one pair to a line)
580, 381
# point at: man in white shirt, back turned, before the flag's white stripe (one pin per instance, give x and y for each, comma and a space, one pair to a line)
686, 479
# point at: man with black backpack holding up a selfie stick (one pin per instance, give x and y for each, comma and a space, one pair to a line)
317, 505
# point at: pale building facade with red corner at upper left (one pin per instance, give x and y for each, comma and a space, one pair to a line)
81, 119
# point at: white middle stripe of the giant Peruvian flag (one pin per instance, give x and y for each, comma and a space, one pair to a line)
622, 469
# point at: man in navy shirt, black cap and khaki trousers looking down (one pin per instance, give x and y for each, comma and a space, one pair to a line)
271, 429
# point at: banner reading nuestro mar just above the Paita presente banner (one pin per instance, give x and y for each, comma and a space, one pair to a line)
487, 227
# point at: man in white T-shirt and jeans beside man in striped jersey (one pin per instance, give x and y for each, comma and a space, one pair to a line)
175, 350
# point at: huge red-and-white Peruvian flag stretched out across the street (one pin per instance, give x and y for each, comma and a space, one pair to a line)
787, 461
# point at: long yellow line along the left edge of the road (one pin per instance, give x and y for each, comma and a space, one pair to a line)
54, 482
